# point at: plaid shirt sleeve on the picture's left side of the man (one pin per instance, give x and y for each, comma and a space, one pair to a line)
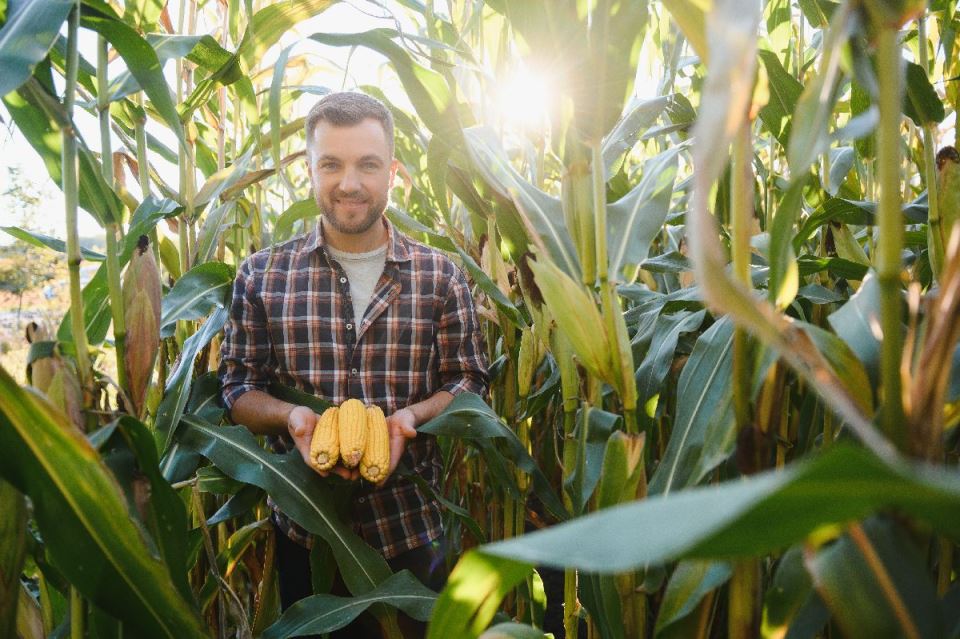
245, 355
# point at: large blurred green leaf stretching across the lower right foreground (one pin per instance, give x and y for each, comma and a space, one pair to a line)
737, 519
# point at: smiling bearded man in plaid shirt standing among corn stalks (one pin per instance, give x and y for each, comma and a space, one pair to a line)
354, 309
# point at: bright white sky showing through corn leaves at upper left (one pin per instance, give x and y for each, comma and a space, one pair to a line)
365, 67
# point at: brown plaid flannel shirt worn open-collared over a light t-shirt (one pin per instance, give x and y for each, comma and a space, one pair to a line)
292, 320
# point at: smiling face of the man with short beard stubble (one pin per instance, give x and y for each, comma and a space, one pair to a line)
351, 172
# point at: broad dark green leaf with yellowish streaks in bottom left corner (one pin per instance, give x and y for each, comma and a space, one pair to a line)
85, 521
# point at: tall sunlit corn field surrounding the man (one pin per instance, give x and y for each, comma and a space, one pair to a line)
719, 283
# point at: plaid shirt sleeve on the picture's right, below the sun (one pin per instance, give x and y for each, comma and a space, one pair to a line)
462, 364
